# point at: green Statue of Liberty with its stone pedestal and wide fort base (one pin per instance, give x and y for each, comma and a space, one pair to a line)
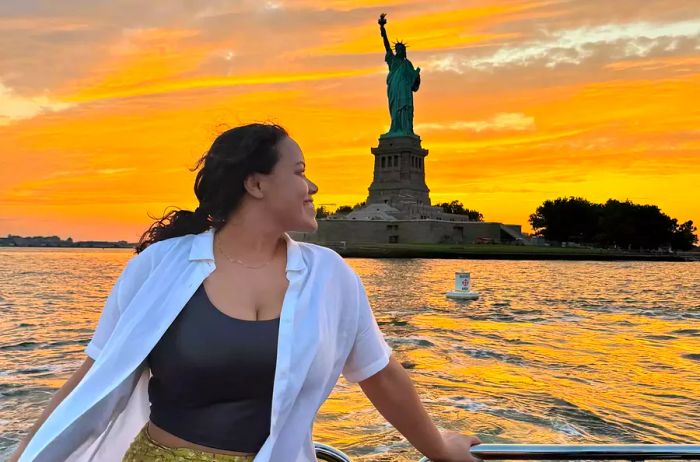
398, 208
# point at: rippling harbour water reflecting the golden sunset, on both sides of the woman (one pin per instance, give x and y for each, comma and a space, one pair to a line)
553, 352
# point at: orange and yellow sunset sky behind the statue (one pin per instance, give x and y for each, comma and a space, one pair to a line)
105, 105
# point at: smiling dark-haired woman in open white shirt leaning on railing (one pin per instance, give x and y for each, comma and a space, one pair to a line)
223, 336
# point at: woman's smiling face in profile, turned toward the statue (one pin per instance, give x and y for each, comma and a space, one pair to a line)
288, 190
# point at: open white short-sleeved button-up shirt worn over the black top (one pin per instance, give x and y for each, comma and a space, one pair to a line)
326, 328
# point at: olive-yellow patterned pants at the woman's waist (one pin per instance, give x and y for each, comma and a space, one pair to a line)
144, 449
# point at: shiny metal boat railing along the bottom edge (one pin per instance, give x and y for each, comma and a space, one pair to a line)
633, 452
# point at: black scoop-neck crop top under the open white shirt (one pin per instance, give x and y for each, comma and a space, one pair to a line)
213, 376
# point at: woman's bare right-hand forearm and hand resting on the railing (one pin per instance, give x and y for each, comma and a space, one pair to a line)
392, 392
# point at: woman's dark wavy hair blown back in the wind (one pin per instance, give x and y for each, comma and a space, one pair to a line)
235, 154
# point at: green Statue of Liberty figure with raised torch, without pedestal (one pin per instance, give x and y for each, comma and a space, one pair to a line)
401, 82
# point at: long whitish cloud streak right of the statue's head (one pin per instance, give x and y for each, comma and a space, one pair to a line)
574, 46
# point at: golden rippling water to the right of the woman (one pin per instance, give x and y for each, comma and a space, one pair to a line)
553, 352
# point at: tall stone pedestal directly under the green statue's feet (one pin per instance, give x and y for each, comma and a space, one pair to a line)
399, 172
